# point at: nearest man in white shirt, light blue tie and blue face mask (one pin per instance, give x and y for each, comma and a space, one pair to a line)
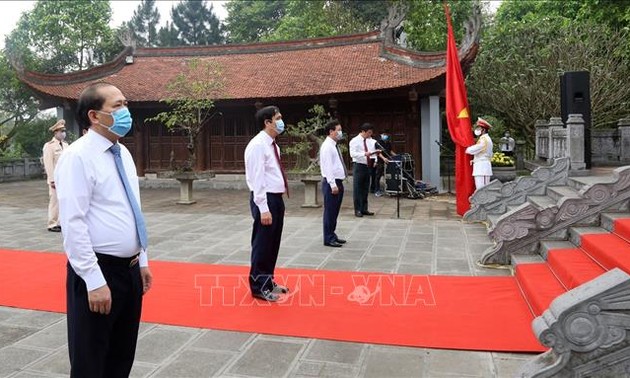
104, 237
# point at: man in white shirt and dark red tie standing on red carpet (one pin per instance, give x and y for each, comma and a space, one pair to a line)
267, 181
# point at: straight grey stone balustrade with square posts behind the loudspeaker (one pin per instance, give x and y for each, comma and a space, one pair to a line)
608, 146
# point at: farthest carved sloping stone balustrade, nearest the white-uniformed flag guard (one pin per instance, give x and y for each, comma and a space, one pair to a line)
496, 197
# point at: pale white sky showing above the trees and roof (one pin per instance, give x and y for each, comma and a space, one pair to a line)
122, 10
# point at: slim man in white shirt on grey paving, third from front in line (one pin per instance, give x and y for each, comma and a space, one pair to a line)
333, 172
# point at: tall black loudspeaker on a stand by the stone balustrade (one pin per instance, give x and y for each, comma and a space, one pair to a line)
575, 98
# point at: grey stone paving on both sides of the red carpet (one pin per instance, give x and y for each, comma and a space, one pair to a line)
428, 238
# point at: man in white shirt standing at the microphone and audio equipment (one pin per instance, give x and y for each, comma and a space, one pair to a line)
361, 151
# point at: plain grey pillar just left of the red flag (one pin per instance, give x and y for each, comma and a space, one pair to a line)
430, 131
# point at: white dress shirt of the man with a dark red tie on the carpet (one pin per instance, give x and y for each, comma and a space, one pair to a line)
262, 170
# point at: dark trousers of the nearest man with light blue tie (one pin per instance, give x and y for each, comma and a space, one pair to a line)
104, 345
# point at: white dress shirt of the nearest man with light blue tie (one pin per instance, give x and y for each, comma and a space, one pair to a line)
94, 211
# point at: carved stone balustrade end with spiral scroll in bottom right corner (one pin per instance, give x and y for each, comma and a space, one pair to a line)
588, 331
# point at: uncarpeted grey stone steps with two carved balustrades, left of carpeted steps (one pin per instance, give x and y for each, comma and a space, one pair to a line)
522, 215
